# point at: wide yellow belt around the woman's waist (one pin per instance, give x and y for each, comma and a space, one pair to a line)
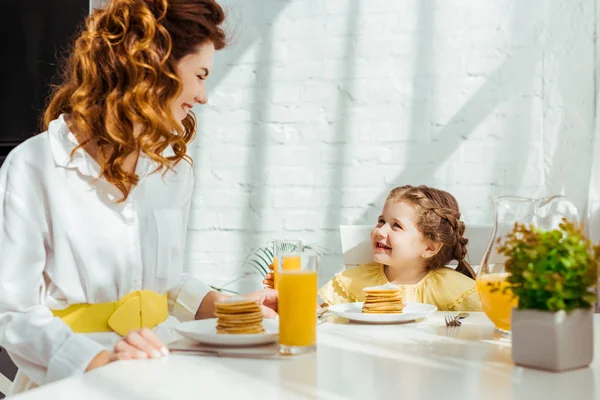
139, 309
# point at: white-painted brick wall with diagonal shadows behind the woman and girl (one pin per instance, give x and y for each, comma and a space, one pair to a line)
320, 107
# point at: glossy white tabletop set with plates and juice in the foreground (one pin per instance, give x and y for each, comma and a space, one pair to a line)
423, 360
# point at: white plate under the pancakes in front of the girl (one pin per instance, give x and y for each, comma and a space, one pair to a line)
411, 312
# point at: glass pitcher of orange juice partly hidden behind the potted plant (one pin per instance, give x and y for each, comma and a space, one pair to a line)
546, 214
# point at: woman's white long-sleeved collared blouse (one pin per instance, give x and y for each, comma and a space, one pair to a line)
64, 239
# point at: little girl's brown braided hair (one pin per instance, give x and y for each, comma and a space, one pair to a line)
439, 222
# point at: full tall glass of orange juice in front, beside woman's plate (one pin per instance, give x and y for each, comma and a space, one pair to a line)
297, 305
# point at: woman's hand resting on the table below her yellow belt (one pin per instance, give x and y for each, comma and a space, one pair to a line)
136, 345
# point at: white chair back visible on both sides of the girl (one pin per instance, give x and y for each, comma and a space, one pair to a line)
356, 244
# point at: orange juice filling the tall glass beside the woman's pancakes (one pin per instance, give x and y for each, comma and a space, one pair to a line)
297, 308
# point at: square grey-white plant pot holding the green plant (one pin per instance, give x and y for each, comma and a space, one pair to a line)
554, 341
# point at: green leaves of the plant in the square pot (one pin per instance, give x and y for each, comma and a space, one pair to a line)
551, 270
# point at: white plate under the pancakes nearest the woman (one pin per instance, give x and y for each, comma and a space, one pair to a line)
205, 331
